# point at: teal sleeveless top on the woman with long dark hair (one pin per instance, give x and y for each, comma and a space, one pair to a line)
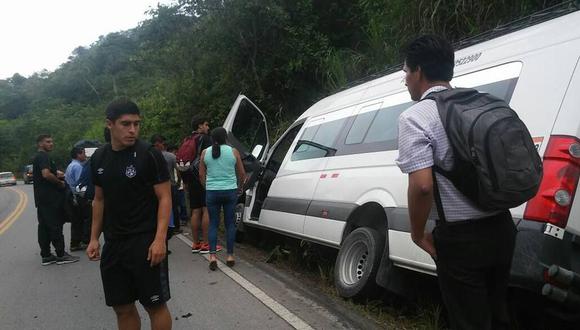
221, 172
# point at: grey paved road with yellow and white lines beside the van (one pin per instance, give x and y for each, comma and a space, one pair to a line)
70, 296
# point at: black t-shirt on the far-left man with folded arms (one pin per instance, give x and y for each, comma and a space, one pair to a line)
46, 193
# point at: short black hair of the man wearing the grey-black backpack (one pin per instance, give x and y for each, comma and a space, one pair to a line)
433, 54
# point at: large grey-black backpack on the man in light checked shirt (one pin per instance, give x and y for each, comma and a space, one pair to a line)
496, 164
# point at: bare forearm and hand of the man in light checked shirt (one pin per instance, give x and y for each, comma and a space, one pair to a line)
420, 196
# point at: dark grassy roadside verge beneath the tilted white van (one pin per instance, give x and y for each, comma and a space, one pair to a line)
314, 264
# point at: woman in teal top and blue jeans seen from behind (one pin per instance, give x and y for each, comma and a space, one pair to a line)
222, 173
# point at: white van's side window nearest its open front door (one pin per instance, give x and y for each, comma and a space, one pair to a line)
318, 141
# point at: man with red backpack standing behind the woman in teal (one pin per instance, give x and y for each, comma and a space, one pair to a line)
188, 156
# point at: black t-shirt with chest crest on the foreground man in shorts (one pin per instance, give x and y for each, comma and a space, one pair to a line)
127, 178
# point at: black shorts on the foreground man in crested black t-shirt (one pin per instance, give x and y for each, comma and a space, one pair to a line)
127, 275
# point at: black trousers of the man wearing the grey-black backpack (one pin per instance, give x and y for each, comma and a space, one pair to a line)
473, 267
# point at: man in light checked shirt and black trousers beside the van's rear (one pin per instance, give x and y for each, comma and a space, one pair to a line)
471, 247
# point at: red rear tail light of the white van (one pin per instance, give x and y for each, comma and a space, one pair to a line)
554, 199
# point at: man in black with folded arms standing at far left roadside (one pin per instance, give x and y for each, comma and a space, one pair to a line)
49, 201
